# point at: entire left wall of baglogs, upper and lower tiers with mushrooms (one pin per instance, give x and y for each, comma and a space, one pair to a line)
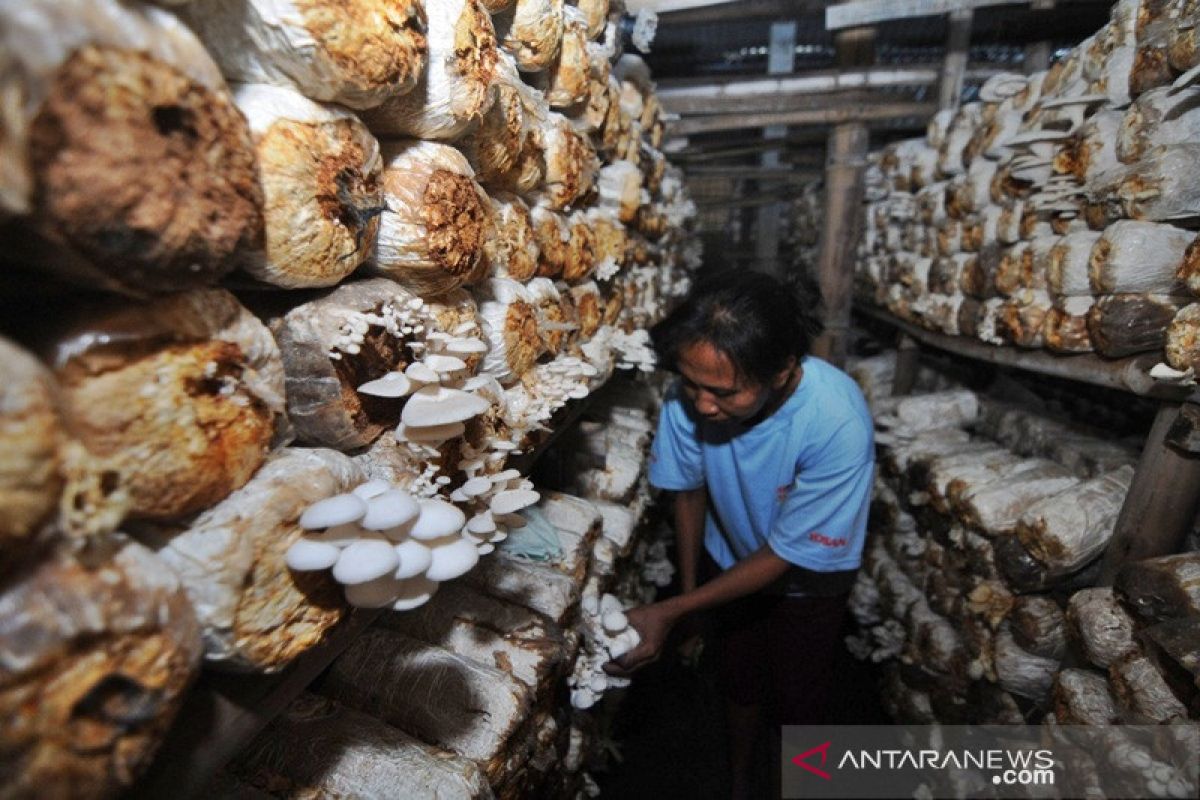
296, 297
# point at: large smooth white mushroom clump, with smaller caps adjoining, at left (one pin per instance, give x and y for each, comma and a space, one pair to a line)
389, 549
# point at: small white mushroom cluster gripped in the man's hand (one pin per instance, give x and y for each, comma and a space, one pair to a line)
608, 635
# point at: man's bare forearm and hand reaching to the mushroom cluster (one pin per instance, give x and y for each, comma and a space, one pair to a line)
655, 623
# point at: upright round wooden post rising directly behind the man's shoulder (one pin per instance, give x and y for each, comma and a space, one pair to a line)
844, 208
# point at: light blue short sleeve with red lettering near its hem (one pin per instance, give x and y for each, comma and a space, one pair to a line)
823, 522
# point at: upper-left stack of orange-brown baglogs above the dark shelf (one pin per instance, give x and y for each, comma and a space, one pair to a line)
452, 208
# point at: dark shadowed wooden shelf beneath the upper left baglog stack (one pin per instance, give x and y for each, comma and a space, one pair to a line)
224, 712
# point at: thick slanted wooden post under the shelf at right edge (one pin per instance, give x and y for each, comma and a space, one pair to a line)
1162, 502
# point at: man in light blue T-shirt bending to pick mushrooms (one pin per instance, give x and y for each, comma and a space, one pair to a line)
770, 453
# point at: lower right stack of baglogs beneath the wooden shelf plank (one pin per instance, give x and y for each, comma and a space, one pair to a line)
979, 582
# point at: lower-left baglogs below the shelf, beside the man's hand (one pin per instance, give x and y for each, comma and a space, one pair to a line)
494, 649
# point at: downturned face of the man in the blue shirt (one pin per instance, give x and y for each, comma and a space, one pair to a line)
716, 389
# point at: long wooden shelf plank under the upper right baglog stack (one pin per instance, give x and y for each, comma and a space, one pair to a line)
1130, 375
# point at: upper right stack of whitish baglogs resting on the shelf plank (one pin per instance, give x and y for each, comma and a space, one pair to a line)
1060, 210
